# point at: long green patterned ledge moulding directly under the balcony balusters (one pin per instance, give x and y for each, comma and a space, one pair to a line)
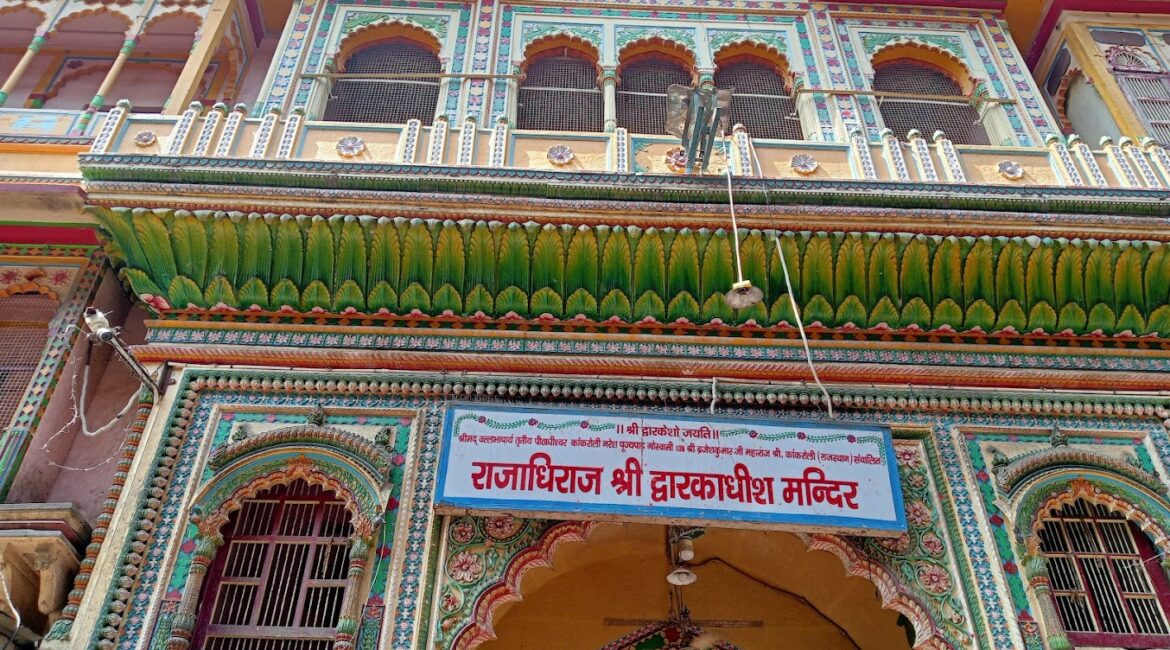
620, 188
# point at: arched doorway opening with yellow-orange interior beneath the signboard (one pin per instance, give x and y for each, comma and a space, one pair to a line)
755, 590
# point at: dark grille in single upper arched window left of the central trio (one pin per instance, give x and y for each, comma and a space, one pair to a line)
388, 101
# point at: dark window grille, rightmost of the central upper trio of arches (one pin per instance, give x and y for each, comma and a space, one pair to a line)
761, 102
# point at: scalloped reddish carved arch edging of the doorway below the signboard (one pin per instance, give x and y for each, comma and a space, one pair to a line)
478, 630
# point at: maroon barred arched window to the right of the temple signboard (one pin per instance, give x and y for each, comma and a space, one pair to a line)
1109, 586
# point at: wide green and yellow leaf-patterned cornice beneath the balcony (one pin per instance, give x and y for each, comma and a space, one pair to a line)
363, 265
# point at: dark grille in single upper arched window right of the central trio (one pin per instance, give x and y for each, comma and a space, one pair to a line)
960, 121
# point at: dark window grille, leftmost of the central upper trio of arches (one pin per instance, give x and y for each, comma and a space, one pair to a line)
561, 94
